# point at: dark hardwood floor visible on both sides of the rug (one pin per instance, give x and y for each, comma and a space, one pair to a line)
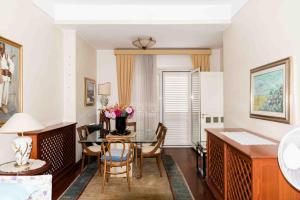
185, 159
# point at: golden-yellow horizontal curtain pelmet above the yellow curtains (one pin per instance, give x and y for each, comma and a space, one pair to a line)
163, 51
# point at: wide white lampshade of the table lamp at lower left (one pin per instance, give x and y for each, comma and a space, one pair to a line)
21, 122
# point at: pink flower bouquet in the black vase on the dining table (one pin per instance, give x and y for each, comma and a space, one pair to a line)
119, 111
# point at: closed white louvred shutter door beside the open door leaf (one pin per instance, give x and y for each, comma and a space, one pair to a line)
175, 107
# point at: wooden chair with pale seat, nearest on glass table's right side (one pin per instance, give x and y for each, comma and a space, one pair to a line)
154, 151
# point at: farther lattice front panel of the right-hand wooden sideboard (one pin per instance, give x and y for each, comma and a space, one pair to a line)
215, 166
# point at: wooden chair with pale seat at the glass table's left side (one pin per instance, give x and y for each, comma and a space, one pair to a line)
93, 150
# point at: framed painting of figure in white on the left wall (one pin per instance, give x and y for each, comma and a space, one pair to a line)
11, 80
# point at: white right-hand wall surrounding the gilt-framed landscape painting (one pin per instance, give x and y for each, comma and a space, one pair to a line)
262, 32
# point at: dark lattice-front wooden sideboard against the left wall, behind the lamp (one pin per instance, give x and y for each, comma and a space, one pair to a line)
56, 145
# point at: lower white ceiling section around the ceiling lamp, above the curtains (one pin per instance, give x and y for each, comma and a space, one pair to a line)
166, 36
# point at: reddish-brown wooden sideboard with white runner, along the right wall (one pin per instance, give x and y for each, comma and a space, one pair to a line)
244, 172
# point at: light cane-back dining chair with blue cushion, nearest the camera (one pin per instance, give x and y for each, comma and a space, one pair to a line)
117, 157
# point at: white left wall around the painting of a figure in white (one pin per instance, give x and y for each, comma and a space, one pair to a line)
25, 24
